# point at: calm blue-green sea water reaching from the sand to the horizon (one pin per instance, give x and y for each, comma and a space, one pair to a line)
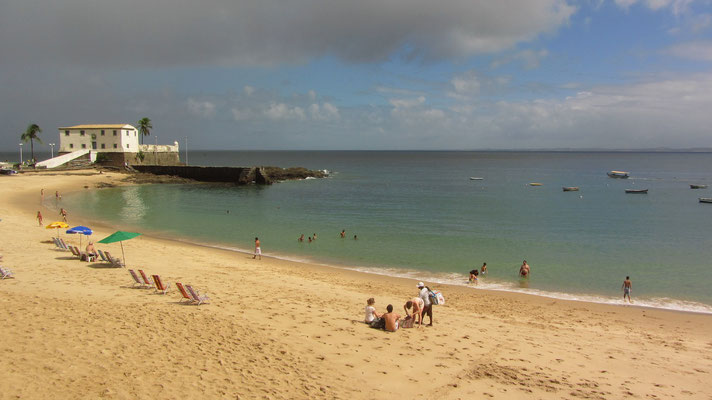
418, 214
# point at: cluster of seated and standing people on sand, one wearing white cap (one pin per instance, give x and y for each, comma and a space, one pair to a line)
416, 309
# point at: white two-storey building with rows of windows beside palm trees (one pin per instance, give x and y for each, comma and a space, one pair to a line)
110, 138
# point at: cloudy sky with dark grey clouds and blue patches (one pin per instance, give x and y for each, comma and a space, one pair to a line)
363, 75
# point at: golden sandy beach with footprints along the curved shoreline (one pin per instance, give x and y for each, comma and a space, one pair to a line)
280, 329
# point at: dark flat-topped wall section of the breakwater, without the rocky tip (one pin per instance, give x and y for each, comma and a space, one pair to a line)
237, 175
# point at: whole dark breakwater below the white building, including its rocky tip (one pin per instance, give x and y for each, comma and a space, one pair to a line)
236, 175
